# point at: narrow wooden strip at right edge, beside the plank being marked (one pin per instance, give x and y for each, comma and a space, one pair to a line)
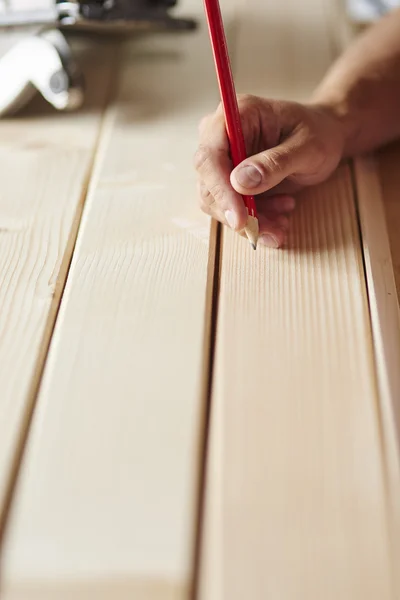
385, 320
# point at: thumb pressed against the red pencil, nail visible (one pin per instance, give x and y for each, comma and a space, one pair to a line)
264, 171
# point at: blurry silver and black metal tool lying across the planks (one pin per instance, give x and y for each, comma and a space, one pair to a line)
44, 62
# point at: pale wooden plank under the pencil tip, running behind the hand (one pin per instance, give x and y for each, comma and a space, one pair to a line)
296, 458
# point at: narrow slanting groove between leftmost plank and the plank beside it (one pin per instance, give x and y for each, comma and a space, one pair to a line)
51, 320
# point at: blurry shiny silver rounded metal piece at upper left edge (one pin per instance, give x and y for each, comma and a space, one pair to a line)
40, 63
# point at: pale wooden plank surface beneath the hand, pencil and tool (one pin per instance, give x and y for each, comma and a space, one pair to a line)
180, 416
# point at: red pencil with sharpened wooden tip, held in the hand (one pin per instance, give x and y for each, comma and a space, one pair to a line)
230, 106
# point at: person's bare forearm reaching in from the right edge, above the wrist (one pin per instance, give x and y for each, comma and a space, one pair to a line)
363, 88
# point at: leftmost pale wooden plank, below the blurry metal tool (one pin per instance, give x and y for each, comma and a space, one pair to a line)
45, 160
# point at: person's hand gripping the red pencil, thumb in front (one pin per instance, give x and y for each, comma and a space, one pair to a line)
290, 145
